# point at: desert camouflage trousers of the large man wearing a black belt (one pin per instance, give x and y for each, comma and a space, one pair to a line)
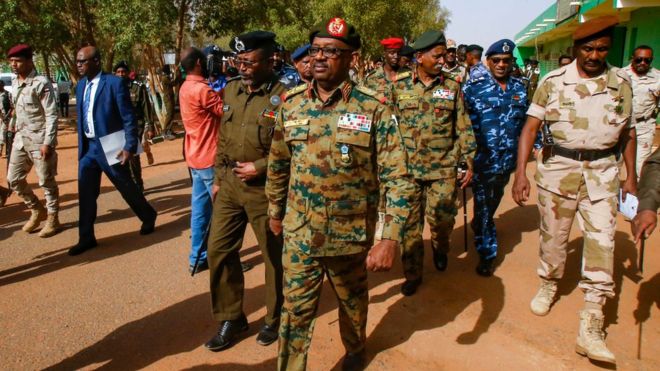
597, 220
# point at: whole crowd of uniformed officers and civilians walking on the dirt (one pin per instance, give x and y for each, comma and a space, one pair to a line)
336, 164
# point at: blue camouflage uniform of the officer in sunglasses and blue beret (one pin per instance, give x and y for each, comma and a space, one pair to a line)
497, 119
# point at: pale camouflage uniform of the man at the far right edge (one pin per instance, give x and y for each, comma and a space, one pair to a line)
646, 90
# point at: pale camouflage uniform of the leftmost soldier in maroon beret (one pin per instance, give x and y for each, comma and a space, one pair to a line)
35, 121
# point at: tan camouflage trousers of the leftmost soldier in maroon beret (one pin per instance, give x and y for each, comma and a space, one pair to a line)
20, 164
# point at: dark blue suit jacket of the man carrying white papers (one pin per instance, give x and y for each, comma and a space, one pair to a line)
112, 112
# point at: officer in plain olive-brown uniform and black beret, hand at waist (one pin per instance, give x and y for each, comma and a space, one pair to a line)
246, 129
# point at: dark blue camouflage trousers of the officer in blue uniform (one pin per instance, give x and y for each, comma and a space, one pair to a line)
488, 190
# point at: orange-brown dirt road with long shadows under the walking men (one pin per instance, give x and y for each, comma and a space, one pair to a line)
131, 304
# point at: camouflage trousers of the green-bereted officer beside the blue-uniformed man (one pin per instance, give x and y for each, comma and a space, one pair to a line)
436, 200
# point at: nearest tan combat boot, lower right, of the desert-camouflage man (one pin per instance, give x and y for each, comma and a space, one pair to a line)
591, 340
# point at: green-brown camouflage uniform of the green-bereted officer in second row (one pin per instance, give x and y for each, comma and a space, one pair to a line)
437, 135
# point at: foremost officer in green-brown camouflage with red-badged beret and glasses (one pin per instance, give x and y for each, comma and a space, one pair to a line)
333, 144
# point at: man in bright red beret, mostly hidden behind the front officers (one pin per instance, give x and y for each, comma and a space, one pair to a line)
381, 78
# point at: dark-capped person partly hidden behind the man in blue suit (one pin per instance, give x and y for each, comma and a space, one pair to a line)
142, 112
